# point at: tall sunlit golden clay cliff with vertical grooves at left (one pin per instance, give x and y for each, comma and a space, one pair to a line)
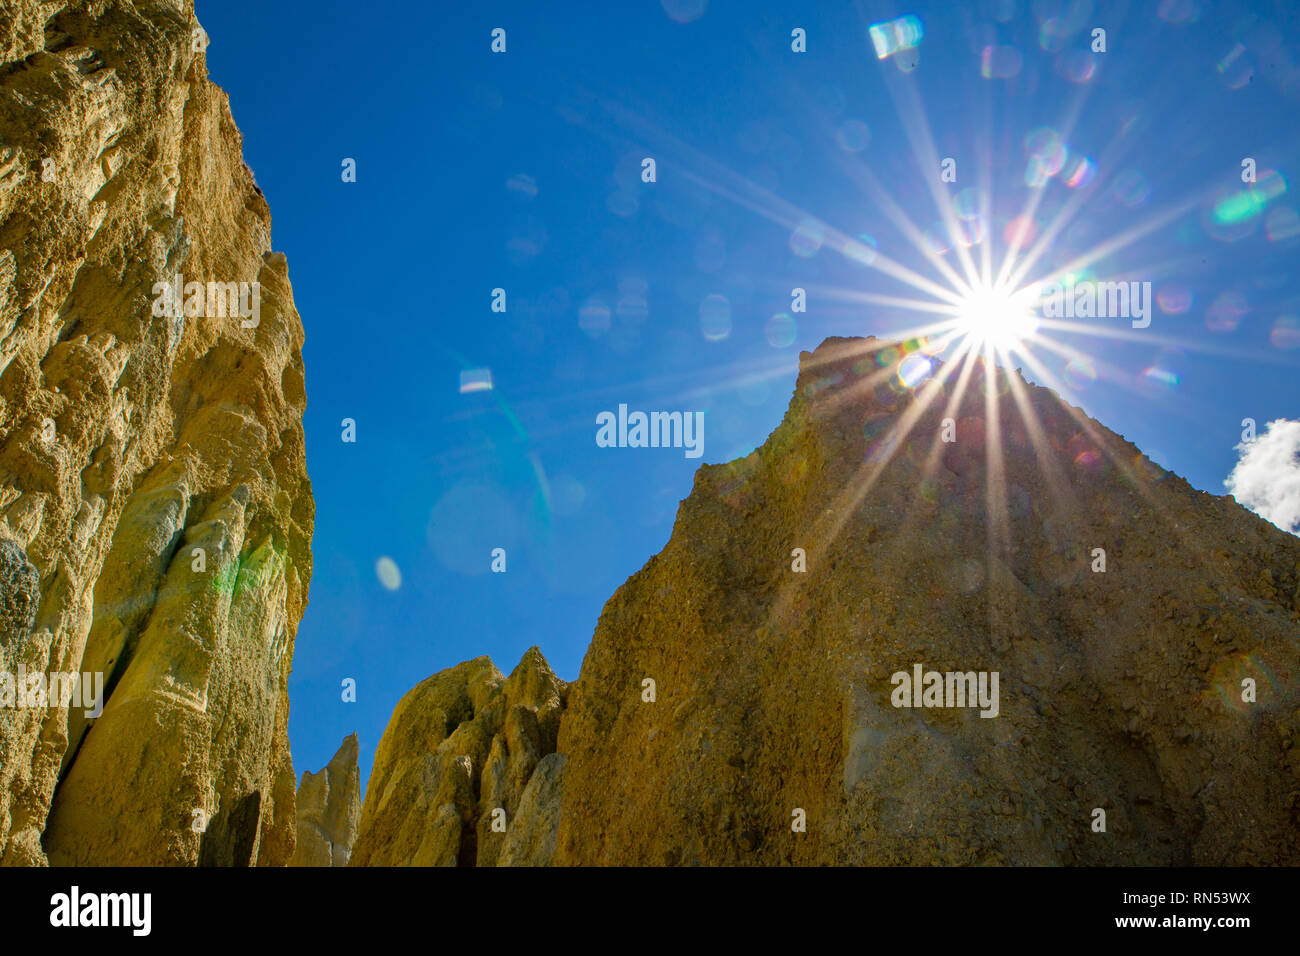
151, 457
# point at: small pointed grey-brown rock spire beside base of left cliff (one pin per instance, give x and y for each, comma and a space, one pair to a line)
330, 811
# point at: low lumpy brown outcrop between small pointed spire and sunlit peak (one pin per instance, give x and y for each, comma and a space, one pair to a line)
463, 752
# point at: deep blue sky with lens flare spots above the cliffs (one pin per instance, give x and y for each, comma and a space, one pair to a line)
523, 171
